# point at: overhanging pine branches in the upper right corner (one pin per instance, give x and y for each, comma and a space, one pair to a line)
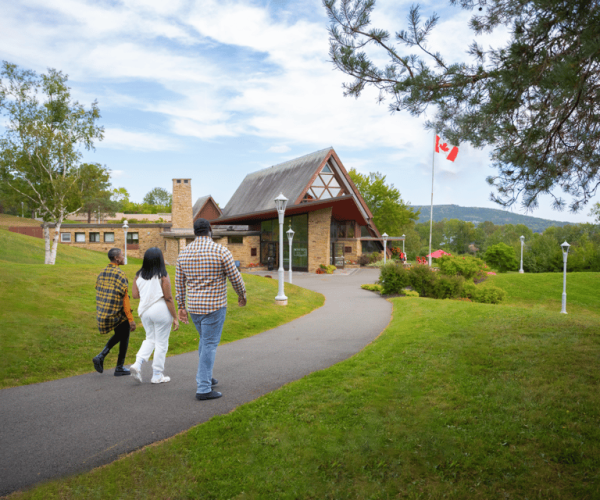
535, 100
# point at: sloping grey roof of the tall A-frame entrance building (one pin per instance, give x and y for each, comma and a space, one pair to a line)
258, 190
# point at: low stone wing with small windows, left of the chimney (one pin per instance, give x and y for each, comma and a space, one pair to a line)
148, 234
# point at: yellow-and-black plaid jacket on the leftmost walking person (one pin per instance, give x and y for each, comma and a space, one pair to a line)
111, 287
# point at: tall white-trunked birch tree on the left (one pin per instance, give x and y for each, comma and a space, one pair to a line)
45, 131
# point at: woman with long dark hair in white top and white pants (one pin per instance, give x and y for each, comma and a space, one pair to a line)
157, 312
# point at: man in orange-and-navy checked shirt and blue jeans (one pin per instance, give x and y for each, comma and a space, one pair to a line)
201, 271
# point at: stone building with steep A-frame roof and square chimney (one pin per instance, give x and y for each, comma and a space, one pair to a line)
331, 221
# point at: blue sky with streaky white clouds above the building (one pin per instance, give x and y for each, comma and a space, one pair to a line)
214, 90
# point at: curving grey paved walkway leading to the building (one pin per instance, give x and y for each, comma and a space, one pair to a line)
72, 425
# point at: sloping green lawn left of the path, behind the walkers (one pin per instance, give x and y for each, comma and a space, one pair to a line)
48, 314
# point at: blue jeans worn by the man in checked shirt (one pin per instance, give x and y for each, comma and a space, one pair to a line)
210, 327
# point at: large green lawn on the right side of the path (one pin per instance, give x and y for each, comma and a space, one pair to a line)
454, 400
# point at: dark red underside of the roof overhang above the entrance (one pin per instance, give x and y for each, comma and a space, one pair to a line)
343, 208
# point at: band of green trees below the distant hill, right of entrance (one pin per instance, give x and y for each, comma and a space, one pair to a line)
542, 252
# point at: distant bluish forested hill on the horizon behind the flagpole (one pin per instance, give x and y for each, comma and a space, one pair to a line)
477, 215
